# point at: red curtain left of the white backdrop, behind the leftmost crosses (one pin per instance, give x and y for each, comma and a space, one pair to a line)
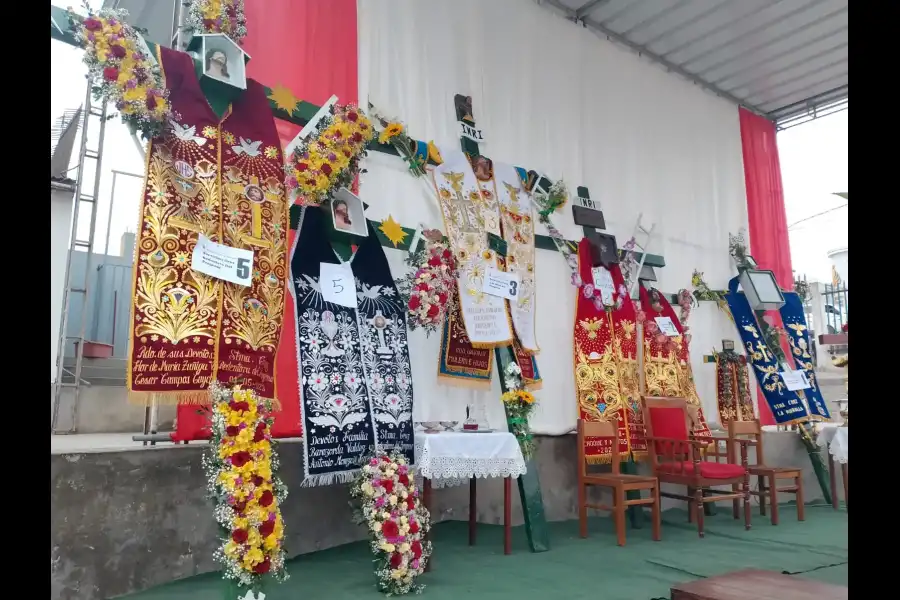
309, 47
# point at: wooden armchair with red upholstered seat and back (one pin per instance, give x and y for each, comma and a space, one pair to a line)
676, 458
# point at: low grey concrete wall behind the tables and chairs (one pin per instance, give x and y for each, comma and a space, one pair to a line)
126, 521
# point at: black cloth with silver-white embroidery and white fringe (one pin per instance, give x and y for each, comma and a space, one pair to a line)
356, 387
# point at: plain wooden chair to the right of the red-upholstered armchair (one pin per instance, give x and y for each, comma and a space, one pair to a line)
765, 473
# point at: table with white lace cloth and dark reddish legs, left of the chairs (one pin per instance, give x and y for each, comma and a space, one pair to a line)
450, 457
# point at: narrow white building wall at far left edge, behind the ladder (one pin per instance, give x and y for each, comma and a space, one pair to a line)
60, 228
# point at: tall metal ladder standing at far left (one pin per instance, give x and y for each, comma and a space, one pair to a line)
84, 154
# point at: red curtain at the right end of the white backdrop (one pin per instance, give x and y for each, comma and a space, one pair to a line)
769, 242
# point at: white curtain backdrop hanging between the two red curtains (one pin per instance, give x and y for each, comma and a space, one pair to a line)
553, 97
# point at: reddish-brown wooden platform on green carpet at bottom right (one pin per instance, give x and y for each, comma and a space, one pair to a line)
753, 584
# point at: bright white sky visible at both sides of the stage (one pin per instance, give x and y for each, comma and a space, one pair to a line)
813, 162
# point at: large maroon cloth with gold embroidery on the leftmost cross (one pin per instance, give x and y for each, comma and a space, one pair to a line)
222, 178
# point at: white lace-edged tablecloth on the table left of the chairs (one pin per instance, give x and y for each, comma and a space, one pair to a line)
453, 457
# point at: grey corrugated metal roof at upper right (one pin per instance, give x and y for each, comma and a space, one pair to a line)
779, 58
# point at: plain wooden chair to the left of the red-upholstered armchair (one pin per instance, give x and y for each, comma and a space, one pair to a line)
618, 482
